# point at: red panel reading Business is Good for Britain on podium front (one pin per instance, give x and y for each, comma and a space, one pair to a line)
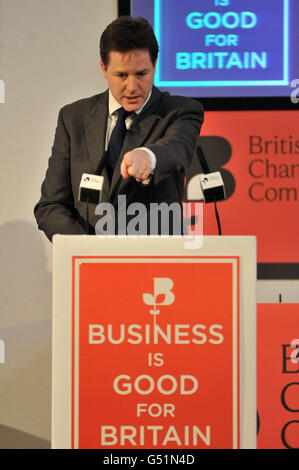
150, 345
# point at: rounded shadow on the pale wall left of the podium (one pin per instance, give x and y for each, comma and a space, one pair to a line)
25, 328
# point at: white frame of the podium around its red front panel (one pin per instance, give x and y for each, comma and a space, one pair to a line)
67, 247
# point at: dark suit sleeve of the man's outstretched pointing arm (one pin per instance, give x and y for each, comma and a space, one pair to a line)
174, 150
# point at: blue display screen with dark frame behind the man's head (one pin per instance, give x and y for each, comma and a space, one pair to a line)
224, 48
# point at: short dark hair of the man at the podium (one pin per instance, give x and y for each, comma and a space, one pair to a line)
126, 34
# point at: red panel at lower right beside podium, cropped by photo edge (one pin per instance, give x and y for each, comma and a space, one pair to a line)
278, 368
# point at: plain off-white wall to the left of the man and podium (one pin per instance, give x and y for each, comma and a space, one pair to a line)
48, 58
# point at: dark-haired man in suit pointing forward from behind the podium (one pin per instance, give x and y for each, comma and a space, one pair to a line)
158, 144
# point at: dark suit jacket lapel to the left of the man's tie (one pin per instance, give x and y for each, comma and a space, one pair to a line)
95, 127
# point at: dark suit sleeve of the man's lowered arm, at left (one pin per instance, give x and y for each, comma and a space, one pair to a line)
55, 211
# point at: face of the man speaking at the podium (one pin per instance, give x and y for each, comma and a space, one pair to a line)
130, 77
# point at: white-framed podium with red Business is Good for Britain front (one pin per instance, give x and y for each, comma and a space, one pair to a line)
154, 342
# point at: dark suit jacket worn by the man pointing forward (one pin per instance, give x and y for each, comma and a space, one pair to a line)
168, 125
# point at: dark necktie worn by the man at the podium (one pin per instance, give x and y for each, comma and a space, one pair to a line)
116, 140
